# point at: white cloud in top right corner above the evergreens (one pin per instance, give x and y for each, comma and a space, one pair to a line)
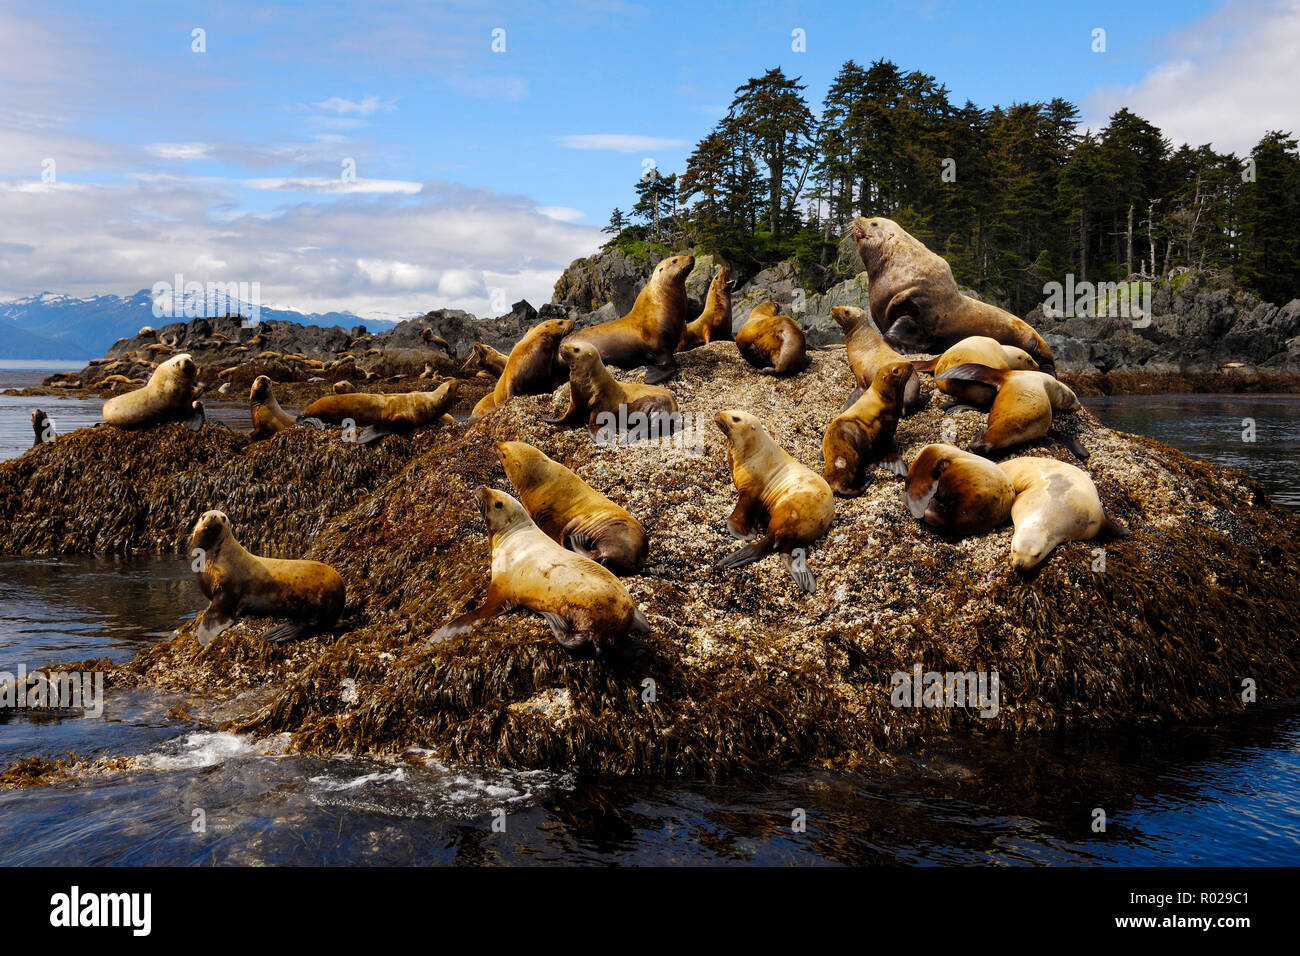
1227, 80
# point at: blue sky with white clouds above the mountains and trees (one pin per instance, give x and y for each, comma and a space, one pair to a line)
480, 175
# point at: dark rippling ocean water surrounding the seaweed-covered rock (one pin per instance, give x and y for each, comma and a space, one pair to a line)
1208, 795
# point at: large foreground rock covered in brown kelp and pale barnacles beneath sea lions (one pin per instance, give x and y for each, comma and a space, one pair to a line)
742, 669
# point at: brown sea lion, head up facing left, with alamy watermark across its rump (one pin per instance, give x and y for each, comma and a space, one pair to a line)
606, 405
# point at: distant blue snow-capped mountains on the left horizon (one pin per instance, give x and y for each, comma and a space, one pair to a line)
62, 327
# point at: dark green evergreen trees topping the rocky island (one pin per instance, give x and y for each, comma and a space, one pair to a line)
1012, 197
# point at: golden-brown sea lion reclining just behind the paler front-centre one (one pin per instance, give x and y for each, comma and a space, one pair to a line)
573, 513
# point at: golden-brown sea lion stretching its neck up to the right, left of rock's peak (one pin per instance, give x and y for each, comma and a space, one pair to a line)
651, 332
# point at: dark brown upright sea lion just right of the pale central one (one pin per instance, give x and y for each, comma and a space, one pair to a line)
865, 432
